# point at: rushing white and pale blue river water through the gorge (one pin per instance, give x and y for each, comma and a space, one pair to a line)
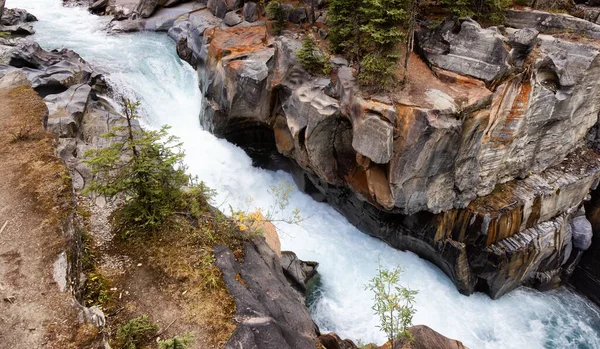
146, 67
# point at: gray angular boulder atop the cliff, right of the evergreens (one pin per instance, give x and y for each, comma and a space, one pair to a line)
464, 47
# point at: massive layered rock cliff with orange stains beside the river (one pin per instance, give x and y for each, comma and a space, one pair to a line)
477, 165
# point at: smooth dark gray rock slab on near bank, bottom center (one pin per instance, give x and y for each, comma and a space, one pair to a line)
280, 320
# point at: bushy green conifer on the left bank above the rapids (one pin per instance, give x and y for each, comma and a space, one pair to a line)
146, 167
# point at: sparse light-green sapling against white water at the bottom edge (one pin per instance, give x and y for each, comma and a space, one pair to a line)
393, 303
